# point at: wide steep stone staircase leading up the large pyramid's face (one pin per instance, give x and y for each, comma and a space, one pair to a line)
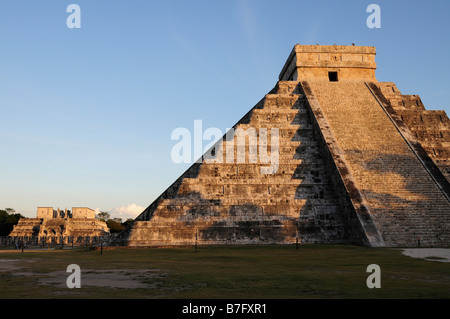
403, 200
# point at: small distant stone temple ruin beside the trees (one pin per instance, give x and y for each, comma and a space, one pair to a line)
78, 226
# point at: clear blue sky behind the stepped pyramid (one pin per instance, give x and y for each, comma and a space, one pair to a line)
87, 114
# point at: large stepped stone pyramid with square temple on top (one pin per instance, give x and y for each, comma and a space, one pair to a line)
352, 161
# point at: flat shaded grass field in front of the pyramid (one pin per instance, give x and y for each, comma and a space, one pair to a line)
269, 272
